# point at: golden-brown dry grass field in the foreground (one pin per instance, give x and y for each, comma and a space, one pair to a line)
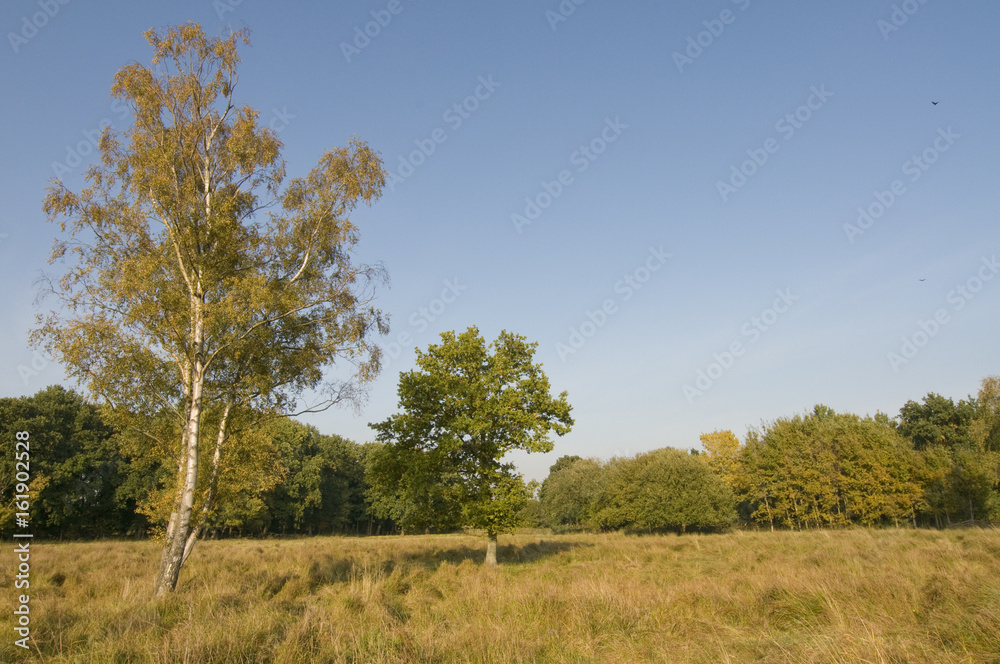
838, 596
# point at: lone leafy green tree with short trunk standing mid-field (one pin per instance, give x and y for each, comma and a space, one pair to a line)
464, 408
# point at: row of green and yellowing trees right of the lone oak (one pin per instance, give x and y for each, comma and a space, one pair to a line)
936, 464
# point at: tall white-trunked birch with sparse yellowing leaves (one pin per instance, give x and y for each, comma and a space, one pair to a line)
200, 295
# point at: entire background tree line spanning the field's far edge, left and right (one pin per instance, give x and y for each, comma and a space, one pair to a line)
936, 464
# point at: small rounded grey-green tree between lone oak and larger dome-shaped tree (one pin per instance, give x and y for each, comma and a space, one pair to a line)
567, 496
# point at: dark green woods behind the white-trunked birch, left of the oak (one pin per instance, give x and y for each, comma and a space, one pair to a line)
88, 481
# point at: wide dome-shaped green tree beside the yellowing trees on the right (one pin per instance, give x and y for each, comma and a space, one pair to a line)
663, 490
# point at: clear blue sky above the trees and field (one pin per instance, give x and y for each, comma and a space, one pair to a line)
830, 232
